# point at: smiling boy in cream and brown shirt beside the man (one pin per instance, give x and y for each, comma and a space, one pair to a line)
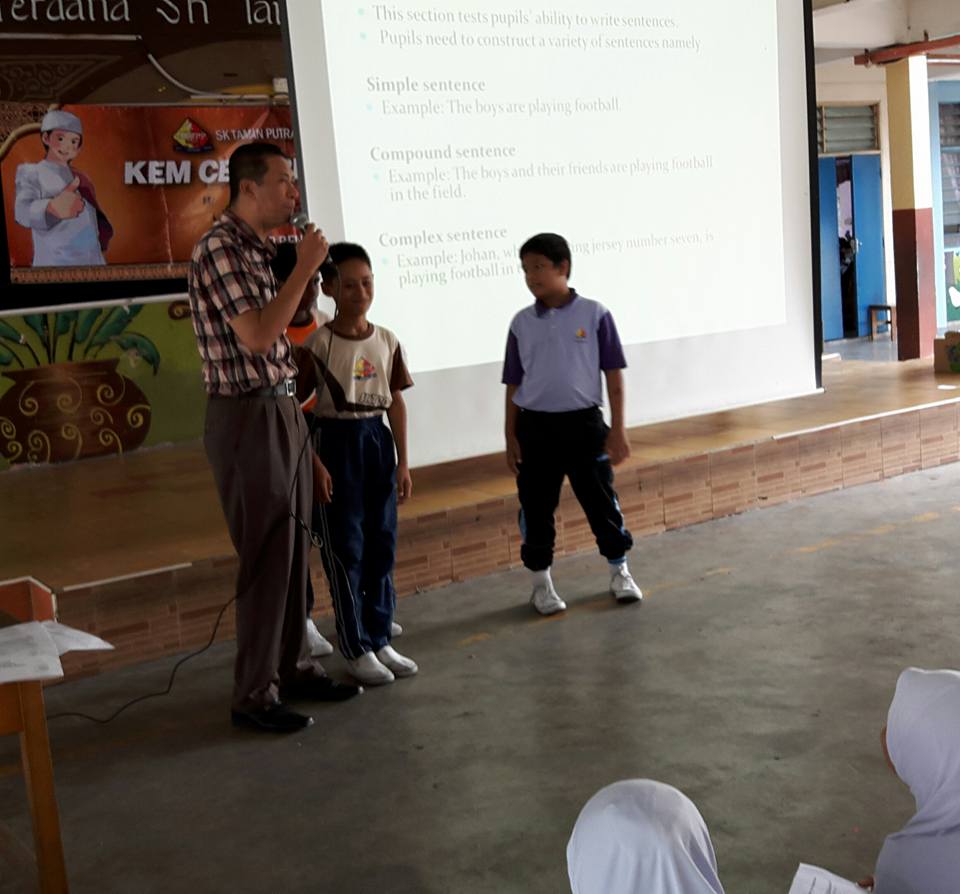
360, 468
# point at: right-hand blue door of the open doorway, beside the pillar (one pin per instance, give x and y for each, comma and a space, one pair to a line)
868, 231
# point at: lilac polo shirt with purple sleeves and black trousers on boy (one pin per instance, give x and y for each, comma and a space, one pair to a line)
555, 357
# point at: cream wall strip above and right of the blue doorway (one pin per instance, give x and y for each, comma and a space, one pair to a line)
846, 83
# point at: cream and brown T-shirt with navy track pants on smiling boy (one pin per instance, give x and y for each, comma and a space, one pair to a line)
357, 378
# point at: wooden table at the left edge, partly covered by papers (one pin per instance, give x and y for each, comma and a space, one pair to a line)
22, 712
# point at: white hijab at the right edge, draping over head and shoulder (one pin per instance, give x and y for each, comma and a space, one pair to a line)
923, 738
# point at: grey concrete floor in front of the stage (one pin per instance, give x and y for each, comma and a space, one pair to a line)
755, 677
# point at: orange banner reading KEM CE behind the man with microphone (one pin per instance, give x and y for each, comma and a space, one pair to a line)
111, 193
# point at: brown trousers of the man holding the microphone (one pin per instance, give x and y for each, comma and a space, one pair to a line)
255, 448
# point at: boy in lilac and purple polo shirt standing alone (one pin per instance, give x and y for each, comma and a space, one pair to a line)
556, 351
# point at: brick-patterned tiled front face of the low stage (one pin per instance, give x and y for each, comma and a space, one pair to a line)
172, 610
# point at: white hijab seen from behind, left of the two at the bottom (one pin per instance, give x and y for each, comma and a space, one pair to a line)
641, 837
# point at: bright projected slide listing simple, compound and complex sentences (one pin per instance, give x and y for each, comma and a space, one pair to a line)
646, 133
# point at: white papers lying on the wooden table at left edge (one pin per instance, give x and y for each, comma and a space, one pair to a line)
32, 651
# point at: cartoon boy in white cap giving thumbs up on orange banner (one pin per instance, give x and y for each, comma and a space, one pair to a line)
58, 203
